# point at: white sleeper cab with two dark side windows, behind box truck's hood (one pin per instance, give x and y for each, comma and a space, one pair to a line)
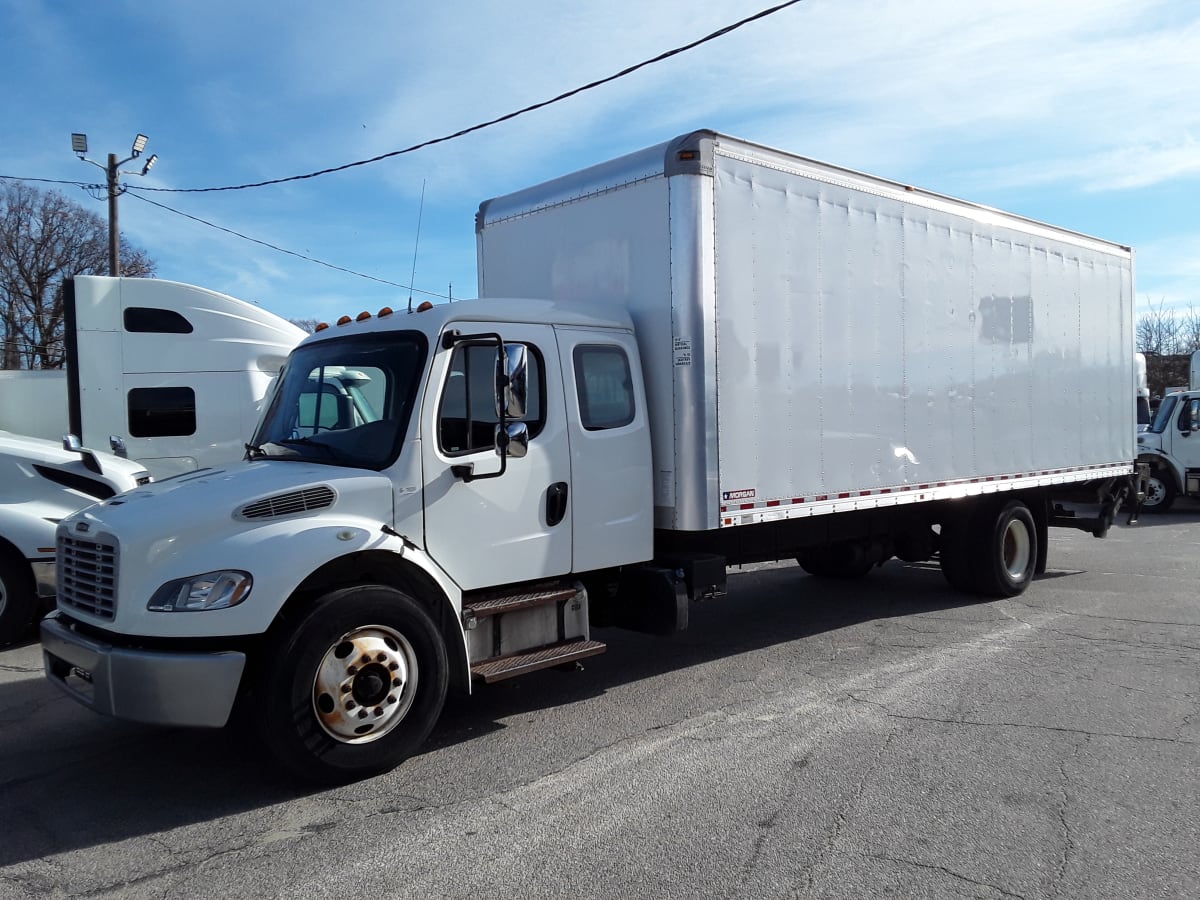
171, 375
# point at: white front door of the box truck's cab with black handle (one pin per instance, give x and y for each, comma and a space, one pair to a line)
496, 529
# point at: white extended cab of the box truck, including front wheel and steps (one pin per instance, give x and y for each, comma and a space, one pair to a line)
423, 505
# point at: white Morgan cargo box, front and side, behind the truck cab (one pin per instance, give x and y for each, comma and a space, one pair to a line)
817, 340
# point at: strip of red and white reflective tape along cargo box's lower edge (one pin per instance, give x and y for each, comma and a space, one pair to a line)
800, 507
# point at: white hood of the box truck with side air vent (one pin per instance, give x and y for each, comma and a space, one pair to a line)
275, 520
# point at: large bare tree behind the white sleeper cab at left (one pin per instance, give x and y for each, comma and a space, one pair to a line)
46, 238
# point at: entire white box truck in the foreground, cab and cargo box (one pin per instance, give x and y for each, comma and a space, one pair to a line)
703, 355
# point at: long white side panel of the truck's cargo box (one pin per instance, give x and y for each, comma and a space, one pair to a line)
873, 345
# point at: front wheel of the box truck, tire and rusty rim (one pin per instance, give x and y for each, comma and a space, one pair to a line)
355, 687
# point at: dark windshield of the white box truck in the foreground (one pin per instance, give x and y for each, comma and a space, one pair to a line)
344, 403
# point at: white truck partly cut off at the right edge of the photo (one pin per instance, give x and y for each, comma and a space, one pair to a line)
1171, 447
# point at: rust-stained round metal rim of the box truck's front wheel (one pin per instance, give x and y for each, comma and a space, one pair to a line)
365, 685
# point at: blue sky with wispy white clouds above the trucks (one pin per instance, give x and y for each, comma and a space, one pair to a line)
1082, 115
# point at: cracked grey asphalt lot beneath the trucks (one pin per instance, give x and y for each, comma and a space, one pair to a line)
805, 739
